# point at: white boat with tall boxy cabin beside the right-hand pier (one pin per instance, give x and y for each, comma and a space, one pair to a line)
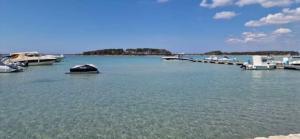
259, 63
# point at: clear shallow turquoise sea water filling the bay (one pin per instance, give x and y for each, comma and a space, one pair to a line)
145, 97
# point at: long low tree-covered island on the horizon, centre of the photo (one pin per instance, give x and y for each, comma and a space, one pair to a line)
137, 51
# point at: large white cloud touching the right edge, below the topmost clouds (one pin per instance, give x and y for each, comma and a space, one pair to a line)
286, 16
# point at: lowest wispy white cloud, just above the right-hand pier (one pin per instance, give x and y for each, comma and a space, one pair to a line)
259, 37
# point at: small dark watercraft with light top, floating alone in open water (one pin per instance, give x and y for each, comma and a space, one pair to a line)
84, 69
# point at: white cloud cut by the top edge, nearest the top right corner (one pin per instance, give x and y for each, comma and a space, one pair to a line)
266, 3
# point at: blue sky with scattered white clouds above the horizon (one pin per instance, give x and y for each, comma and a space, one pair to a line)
191, 26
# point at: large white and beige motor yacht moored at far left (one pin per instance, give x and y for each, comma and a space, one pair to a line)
32, 58
